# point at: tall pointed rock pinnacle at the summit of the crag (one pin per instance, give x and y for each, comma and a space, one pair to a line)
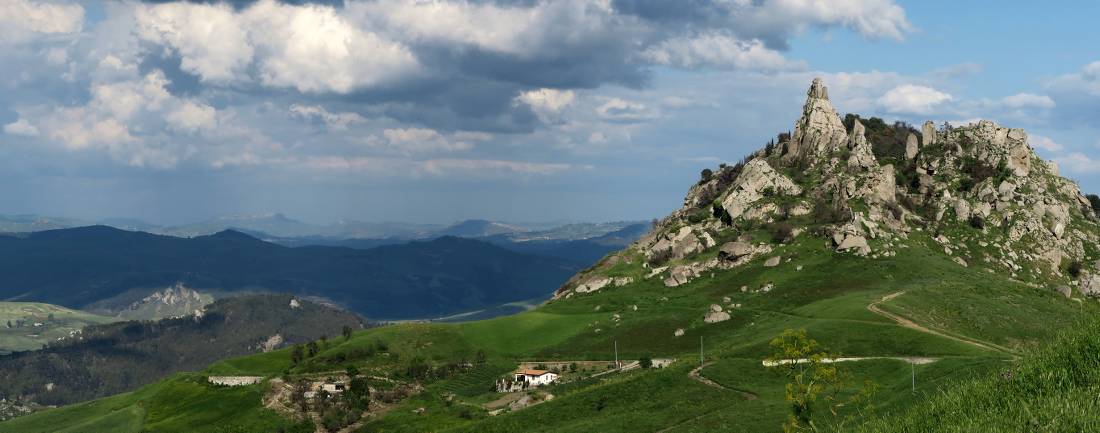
819, 131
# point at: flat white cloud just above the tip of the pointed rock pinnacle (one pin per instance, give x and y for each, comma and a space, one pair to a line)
719, 51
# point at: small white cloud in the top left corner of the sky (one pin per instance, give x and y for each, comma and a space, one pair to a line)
21, 18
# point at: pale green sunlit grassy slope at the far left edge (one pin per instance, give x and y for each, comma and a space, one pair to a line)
30, 338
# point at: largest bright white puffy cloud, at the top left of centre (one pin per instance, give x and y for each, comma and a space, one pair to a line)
312, 49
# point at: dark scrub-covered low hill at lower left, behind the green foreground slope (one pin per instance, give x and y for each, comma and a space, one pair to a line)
112, 359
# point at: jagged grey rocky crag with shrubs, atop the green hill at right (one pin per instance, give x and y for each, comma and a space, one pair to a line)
978, 191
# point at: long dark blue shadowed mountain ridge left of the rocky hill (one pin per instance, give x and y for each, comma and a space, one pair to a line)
79, 268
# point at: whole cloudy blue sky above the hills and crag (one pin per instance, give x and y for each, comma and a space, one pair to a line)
515, 110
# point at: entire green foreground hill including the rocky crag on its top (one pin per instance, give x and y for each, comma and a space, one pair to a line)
919, 260
